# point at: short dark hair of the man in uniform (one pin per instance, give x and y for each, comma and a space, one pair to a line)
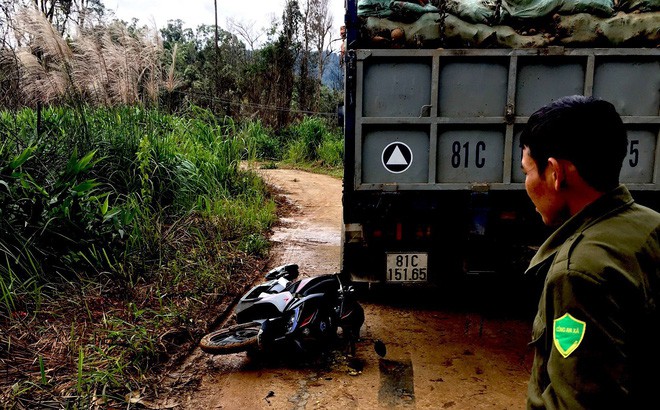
584, 130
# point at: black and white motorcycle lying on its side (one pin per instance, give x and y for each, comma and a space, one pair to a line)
283, 312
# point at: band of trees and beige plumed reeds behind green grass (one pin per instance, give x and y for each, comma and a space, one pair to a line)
76, 51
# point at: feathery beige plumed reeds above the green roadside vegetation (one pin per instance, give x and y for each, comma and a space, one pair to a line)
104, 65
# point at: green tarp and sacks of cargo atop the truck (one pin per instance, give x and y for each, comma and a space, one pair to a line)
509, 23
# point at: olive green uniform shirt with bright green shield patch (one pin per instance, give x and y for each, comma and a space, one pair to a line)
597, 331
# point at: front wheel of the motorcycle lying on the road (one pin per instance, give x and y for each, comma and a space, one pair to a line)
233, 339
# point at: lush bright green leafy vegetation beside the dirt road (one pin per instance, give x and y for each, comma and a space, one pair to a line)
66, 213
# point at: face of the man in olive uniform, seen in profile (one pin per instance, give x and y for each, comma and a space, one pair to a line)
541, 190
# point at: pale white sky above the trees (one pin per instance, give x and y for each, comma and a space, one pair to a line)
193, 13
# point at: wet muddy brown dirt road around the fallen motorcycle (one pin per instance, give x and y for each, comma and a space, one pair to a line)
462, 348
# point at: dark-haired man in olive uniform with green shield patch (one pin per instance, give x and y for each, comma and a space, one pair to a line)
596, 332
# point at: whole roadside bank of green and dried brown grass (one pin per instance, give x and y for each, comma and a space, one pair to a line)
124, 225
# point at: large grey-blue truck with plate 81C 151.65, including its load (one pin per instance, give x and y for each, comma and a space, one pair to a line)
435, 100
